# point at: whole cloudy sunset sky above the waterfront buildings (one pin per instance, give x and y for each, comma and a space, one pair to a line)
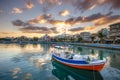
38, 17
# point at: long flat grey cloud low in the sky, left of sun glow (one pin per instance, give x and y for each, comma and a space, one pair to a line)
36, 29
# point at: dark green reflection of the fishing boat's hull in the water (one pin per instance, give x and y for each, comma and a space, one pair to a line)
63, 72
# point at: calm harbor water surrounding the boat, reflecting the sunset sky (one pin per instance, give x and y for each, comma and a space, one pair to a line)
33, 62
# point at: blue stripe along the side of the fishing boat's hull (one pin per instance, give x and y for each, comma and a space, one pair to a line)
70, 61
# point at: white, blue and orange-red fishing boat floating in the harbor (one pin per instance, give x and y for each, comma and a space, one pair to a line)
78, 61
